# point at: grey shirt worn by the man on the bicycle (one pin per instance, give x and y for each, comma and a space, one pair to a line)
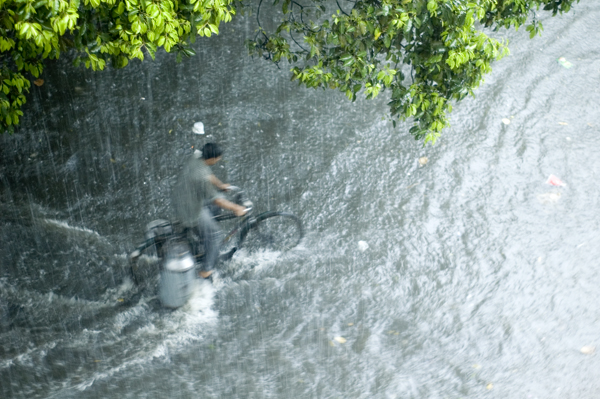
193, 191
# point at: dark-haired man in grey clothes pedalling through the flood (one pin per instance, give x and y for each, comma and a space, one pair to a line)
195, 191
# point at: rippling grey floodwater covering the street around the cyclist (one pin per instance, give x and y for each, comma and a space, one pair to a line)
467, 277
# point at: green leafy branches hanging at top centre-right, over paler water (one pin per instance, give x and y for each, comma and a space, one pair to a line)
427, 53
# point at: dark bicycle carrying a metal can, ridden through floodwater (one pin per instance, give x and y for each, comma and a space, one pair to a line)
270, 230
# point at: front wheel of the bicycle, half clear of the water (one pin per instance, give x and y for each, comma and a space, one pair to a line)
272, 231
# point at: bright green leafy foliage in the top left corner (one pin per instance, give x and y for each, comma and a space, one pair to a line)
101, 31
